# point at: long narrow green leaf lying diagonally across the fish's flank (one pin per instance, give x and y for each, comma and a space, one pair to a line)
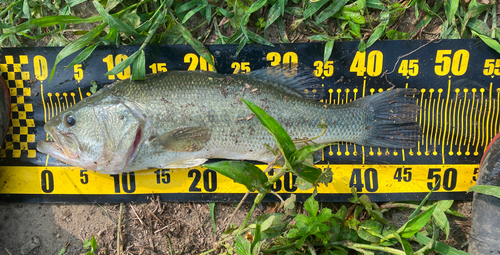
281, 137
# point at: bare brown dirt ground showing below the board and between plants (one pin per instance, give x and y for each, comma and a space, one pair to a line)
159, 227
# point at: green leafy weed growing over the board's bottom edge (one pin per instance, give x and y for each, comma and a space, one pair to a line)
319, 230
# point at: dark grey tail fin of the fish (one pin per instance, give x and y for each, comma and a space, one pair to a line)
393, 115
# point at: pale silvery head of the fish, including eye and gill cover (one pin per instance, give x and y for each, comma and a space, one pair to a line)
102, 135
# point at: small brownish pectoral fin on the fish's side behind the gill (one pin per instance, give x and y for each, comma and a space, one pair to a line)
188, 139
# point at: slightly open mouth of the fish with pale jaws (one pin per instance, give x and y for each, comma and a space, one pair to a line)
62, 147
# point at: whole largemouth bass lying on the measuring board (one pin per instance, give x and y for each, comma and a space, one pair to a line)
180, 119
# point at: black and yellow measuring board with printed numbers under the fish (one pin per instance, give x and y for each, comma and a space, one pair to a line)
459, 99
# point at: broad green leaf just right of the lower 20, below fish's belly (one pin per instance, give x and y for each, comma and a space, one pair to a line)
242, 172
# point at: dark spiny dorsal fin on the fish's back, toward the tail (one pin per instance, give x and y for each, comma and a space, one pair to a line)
299, 82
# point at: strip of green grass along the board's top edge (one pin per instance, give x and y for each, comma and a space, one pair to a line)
146, 22
